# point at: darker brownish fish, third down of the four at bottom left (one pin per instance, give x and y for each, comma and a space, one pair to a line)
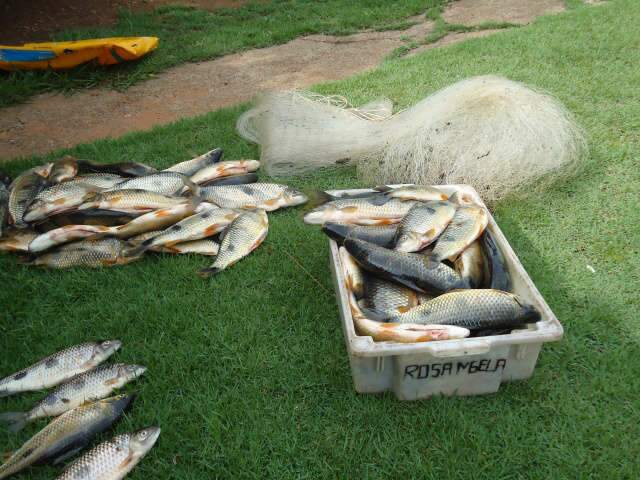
66, 435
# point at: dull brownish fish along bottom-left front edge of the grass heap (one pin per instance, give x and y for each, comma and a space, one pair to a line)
86, 253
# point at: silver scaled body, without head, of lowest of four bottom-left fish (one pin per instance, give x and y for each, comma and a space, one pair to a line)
101, 462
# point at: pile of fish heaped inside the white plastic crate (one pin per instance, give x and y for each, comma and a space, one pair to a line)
420, 265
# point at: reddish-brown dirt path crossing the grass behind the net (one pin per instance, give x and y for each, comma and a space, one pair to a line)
54, 121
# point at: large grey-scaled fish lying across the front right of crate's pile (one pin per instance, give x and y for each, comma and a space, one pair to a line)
472, 309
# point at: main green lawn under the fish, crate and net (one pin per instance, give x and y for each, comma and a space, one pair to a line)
248, 375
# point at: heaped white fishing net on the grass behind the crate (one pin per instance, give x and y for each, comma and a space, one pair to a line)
497, 135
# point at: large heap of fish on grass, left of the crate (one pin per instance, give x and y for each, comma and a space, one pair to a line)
80, 213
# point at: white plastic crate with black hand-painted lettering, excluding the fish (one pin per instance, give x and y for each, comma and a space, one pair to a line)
470, 366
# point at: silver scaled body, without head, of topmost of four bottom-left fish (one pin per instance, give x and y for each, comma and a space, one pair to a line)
53, 369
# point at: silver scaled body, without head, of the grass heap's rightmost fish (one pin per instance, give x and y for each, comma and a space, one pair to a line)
237, 196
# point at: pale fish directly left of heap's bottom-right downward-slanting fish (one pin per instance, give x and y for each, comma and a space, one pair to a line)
206, 223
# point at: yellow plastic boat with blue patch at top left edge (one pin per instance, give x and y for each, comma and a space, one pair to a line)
62, 55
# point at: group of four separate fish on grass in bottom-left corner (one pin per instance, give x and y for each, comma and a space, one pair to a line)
81, 409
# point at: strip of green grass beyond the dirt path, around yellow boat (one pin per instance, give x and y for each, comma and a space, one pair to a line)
189, 35
